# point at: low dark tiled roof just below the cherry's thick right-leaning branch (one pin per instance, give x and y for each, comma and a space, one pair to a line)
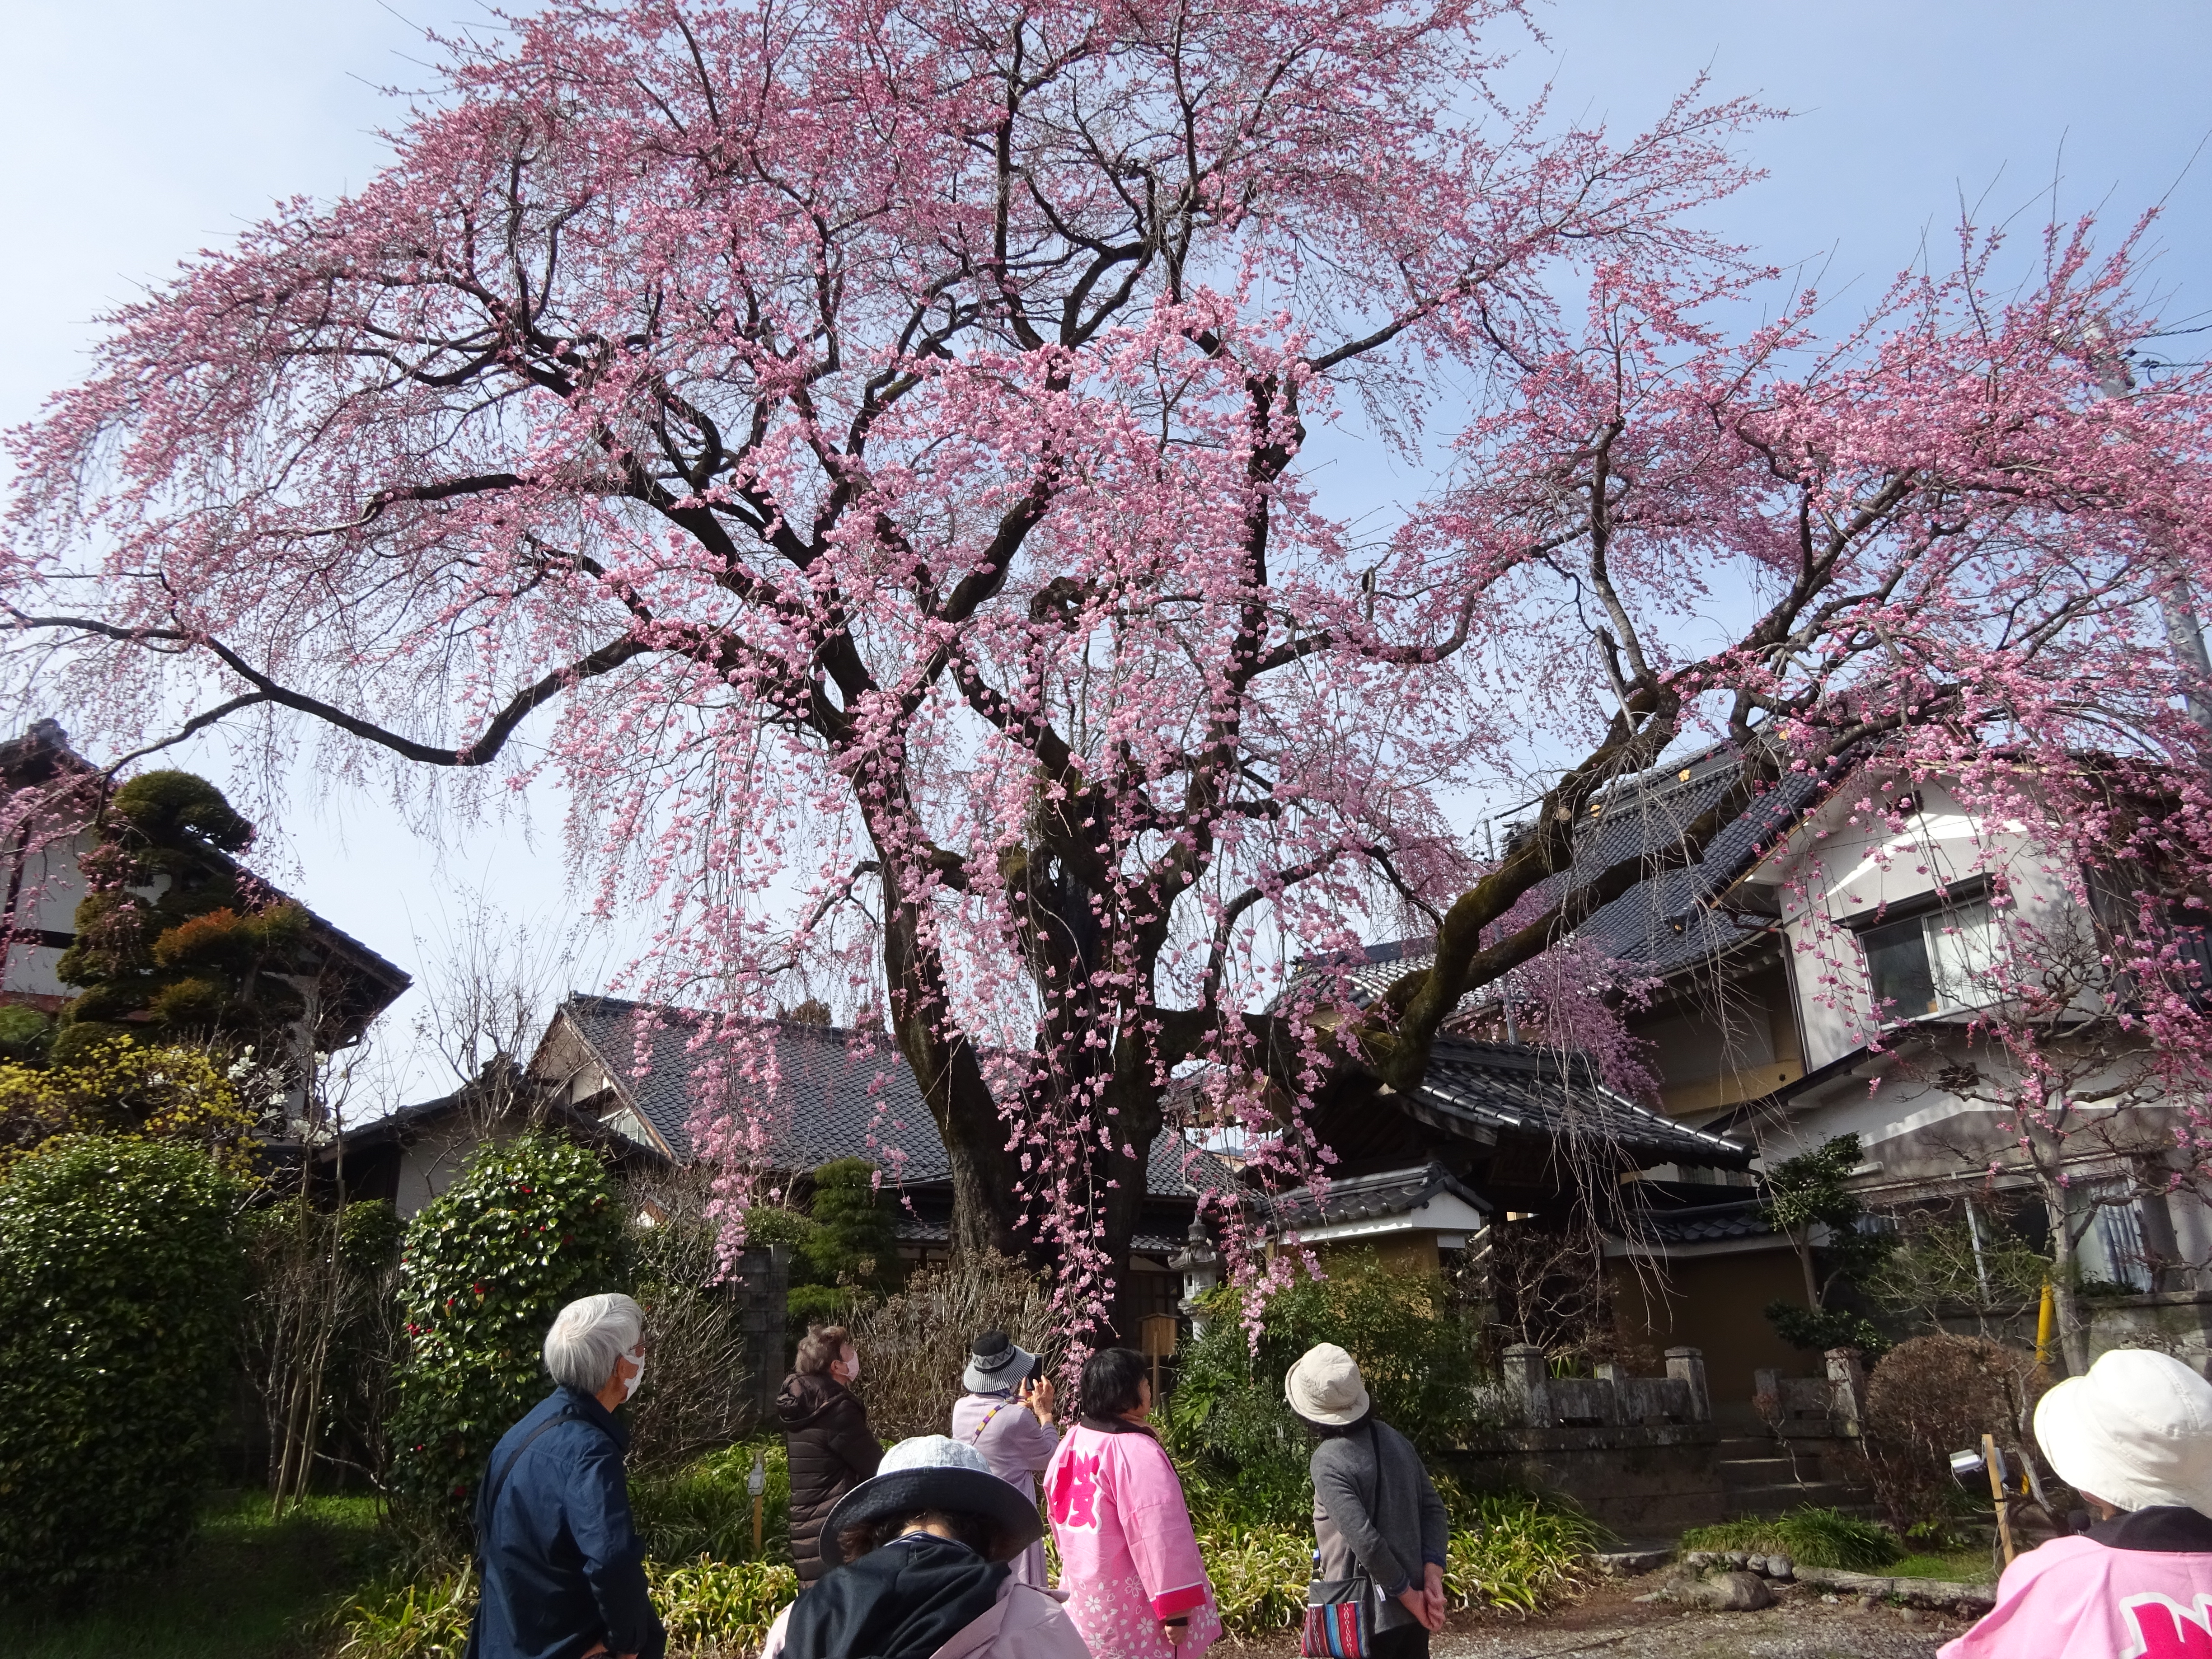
1512, 1089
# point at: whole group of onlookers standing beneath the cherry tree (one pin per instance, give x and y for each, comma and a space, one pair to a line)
935, 1550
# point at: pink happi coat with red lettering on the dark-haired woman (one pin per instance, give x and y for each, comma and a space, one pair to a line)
1127, 1554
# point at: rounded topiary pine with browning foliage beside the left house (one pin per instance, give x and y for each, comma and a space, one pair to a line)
194, 959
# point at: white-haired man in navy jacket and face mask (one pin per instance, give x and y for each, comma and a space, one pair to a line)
563, 1567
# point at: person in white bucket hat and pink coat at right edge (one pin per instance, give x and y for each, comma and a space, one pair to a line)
2136, 1441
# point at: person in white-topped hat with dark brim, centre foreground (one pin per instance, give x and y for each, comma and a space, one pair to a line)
917, 1569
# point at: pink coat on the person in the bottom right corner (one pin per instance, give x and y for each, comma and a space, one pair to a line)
2083, 1600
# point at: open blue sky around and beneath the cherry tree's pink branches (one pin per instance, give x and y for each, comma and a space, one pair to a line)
136, 134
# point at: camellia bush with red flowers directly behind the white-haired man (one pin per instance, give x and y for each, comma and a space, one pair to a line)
528, 1229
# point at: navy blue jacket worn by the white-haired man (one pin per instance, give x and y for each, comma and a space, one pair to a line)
563, 1567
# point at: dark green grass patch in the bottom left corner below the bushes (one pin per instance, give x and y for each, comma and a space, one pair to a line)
244, 1589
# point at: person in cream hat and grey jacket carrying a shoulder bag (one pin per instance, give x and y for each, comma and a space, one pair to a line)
1375, 1505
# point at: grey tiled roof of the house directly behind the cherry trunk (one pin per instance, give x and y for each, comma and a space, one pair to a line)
839, 1094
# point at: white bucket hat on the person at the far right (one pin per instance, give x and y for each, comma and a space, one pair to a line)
2136, 1432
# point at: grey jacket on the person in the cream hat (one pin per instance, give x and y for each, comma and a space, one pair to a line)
1392, 1543
